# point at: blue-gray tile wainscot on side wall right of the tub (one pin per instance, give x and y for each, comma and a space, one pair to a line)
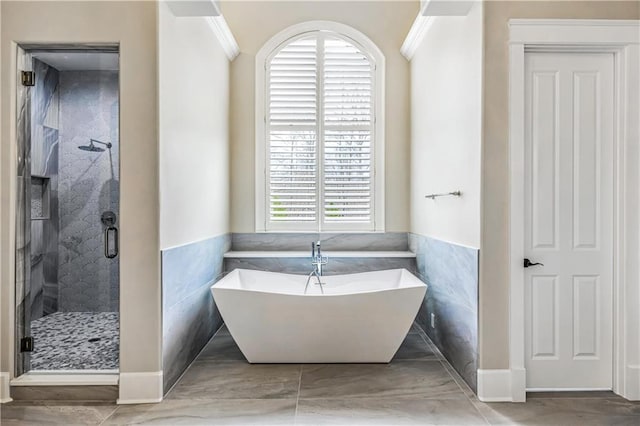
451, 272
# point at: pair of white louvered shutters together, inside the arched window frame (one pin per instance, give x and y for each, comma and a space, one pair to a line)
319, 126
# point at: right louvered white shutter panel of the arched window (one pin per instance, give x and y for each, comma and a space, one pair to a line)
347, 164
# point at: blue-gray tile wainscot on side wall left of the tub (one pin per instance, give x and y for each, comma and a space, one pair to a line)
189, 315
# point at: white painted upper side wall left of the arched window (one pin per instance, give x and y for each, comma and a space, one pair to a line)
194, 131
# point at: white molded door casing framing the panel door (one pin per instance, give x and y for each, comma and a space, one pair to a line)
622, 38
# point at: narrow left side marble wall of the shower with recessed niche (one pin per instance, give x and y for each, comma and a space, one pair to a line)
45, 127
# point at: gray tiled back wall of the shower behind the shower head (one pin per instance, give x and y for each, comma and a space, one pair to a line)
88, 186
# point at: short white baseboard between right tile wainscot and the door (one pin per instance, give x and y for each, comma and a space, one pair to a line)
501, 385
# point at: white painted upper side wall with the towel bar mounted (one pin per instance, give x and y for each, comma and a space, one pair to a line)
446, 129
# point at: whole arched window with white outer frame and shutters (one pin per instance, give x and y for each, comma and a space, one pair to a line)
320, 131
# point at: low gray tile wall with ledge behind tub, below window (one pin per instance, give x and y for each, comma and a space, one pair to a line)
377, 252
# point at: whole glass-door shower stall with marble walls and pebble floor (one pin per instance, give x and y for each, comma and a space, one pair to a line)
67, 260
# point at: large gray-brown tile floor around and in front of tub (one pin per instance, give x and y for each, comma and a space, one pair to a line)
417, 388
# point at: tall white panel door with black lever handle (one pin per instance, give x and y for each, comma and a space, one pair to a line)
569, 220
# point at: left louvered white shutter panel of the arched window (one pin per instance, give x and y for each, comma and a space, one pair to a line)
293, 169
